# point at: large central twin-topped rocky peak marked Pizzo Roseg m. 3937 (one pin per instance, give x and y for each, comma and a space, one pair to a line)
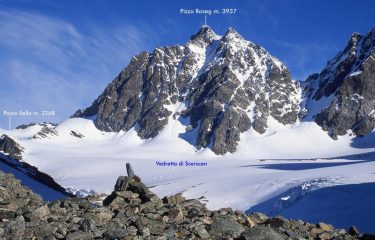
223, 86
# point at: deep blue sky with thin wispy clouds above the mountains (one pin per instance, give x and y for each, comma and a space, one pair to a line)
59, 55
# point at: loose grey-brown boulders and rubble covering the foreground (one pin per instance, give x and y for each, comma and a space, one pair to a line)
132, 211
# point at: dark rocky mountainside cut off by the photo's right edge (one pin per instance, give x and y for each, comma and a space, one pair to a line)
347, 85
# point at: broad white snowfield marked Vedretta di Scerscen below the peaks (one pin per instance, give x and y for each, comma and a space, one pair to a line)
265, 174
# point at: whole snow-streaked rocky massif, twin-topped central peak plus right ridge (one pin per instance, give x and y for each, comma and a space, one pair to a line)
222, 86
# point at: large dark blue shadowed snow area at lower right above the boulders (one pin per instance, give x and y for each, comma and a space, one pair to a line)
340, 205
